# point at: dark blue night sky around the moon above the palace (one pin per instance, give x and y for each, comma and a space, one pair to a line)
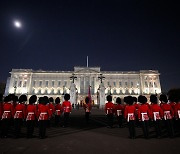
116, 35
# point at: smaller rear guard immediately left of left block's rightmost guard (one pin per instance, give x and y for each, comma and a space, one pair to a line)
58, 111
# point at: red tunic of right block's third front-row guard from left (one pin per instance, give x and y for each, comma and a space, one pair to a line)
156, 111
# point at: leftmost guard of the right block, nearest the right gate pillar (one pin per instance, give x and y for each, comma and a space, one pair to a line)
109, 110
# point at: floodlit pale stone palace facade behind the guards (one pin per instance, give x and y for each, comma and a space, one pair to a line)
57, 83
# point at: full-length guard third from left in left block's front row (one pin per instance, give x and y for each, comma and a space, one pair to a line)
31, 116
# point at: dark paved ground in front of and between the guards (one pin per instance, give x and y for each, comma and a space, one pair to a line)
92, 138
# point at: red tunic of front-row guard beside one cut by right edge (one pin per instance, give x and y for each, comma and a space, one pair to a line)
167, 111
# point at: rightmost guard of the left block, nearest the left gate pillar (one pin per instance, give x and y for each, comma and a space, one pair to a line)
66, 105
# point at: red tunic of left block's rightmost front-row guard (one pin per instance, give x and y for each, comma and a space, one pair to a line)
43, 112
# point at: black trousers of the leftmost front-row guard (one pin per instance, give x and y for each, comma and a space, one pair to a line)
5, 127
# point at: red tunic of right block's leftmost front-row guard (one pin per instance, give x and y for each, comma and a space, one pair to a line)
130, 112
